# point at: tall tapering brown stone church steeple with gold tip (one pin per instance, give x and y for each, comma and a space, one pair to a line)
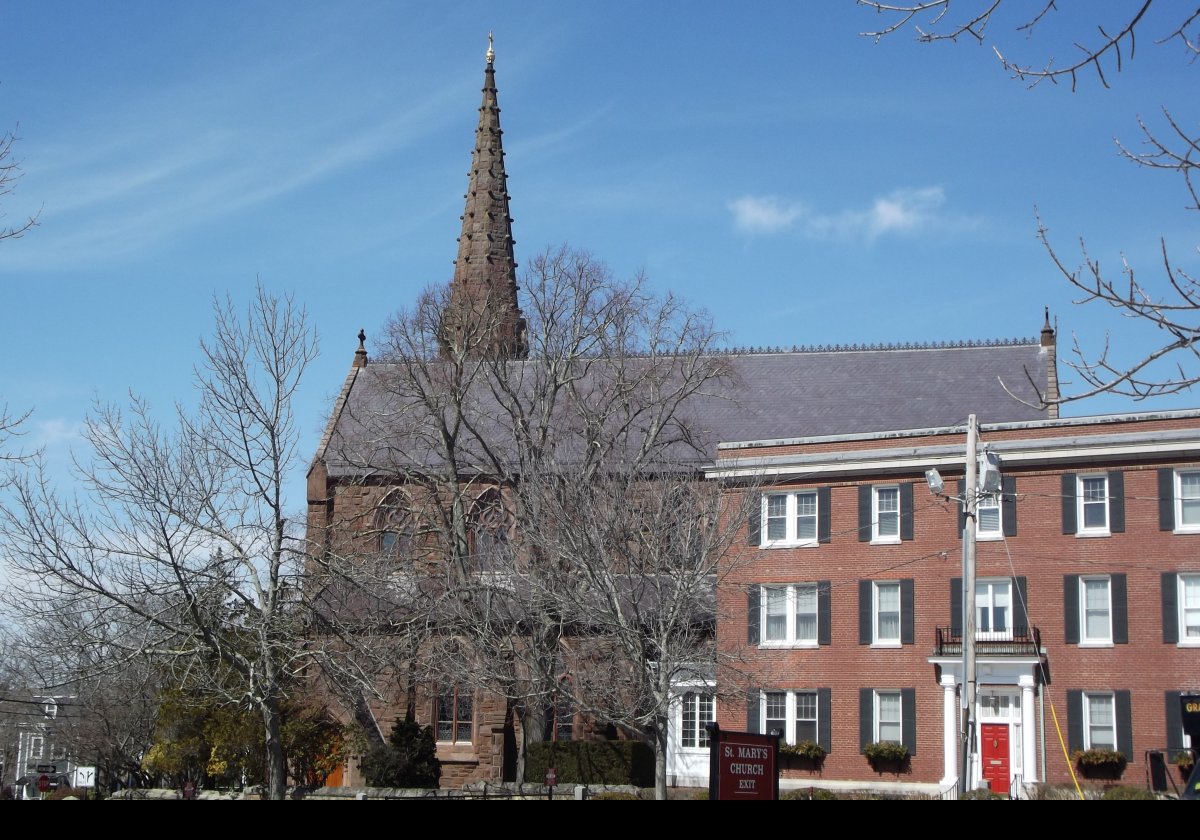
484, 316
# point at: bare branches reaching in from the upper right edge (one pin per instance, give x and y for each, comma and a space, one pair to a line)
1172, 303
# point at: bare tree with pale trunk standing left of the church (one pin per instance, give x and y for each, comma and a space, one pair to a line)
177, 545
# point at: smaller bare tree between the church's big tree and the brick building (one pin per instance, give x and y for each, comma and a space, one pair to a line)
634, 559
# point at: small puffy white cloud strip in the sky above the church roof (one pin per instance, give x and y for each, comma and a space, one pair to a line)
901, 212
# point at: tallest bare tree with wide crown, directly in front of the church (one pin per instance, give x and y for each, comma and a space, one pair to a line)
463, 434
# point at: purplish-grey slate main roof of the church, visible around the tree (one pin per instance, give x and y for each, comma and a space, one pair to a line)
771, 397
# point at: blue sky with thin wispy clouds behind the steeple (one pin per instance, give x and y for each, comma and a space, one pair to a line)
801, 182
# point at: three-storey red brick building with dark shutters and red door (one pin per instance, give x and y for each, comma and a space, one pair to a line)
1088, 616
